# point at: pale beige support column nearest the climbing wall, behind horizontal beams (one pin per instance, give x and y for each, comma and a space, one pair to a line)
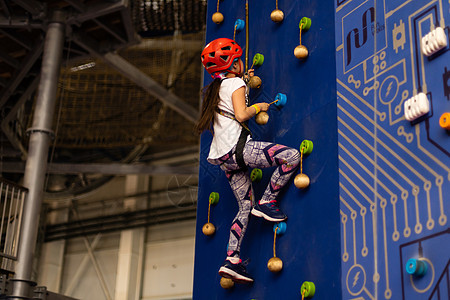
131, 249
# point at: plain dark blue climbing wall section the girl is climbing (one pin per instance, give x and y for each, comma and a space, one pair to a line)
310, 248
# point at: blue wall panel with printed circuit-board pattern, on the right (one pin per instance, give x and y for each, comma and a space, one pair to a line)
393, 174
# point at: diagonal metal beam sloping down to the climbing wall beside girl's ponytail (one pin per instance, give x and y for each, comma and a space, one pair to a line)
139, 78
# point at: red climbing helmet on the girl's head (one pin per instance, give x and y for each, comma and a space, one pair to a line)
220, 54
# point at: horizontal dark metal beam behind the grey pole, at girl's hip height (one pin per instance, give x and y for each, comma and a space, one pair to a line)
105, 169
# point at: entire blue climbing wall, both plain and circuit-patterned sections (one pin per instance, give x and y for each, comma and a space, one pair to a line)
380, 187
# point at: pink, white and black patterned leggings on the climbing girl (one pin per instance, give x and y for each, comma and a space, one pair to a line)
256, 155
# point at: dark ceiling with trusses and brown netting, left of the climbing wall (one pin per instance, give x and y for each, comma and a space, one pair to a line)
128, 91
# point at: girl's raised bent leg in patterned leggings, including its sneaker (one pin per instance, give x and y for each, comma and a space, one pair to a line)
262, 155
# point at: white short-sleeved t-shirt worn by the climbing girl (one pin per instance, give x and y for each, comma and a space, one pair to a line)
226, 130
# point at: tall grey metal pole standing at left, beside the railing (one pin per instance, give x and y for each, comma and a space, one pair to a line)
36, 165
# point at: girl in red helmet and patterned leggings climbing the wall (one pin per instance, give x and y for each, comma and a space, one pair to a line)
225, 111
